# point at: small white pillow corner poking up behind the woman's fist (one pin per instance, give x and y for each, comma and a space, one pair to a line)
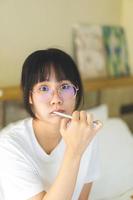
99, 113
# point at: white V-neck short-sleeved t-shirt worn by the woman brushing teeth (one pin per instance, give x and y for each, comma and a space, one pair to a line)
26, 169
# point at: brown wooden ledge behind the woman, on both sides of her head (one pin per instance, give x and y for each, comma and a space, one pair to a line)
14, 92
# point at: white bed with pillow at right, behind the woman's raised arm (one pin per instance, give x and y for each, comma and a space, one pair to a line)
116, 158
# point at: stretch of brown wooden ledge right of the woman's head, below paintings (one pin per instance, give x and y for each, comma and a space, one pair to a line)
101, 84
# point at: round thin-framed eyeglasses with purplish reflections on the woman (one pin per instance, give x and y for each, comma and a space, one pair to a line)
65, 91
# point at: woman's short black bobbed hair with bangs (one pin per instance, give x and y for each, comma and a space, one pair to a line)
37, 68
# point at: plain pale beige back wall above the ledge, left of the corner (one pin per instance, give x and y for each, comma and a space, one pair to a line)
29, 25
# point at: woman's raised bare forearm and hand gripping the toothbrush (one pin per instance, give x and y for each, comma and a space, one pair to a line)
77, 136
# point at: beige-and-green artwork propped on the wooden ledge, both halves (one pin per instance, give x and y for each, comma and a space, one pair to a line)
100, 51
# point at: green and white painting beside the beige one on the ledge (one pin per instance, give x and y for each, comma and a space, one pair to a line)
116, 50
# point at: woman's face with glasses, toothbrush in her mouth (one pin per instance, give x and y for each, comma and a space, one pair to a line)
50, 96
